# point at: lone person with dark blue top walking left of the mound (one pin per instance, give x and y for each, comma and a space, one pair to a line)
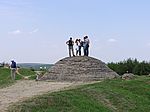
13, 68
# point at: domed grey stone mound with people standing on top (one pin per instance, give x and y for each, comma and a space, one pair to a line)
79, 68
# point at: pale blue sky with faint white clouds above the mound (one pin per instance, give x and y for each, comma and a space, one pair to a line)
36, 31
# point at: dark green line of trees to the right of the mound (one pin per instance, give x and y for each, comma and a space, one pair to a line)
131, 66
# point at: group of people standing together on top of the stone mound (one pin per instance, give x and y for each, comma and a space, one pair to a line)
79, 44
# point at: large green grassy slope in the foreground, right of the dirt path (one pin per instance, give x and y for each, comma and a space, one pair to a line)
107, 96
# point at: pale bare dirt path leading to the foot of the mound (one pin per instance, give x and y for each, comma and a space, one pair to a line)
28, 88
